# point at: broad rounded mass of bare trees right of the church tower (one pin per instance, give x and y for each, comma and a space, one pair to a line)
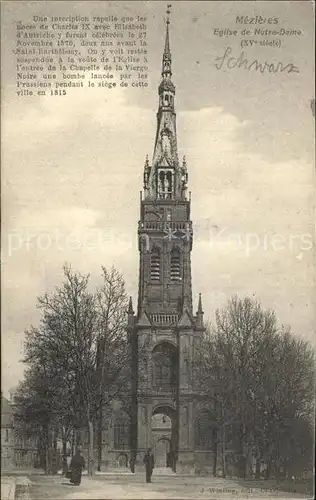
261, 377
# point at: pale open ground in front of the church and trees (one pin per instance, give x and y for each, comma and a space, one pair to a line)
134, 487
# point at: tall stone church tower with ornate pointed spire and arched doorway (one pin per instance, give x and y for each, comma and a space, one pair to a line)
165, 328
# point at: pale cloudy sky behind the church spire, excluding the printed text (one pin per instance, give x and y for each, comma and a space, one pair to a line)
73, 166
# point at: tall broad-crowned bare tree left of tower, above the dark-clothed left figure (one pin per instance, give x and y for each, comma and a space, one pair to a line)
65, 343
